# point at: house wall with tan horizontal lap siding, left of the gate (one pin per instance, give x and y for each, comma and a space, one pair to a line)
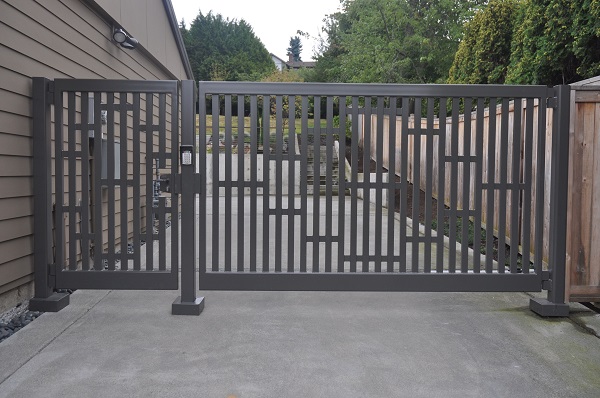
64, 39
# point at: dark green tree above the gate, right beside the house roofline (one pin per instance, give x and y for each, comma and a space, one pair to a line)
224, 49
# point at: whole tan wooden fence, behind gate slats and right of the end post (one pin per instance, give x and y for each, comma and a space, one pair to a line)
583, 222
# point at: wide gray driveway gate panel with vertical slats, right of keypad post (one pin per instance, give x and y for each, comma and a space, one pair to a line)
281, 208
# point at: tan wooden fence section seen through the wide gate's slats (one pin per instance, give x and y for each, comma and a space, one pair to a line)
501, 159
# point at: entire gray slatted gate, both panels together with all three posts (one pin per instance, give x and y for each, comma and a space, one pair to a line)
268, 201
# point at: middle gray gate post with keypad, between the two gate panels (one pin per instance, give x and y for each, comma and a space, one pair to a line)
187, 303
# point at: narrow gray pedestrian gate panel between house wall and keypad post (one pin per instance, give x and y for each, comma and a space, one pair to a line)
115, 142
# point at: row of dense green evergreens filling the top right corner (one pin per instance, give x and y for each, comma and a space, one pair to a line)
552, 42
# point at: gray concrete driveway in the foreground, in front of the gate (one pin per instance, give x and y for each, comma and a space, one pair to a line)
303, 344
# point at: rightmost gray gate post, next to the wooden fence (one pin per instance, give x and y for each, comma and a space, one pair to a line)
555, 304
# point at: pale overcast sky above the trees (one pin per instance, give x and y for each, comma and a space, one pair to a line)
274, 21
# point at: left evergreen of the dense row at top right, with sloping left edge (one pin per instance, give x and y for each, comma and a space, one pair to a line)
484, 53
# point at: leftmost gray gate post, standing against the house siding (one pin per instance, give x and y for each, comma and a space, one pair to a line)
44, 297
